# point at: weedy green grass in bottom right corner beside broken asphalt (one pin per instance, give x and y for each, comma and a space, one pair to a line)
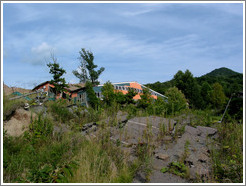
228, 156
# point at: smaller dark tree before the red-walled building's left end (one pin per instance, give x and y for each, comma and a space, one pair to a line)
57, 73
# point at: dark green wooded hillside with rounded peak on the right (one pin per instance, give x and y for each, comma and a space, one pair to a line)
212, 90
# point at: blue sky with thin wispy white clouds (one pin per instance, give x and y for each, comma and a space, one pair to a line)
134, 41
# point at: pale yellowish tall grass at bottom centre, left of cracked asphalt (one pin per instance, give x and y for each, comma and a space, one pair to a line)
101, 163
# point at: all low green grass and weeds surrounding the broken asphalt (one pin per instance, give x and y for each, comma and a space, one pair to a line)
41, 155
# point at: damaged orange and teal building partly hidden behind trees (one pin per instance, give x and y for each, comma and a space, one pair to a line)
77, 93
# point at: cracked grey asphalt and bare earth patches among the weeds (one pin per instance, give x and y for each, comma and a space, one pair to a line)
173, 140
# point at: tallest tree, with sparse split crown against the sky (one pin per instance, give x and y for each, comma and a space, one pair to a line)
87, 66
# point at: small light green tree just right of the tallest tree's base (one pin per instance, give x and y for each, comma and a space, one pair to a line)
108, 93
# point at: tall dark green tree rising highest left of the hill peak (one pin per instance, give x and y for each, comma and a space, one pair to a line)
189, 86
